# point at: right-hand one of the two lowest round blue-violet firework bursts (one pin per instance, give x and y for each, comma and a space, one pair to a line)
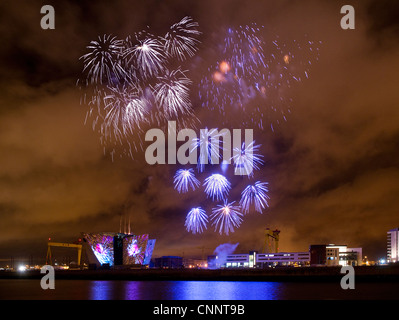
226, 217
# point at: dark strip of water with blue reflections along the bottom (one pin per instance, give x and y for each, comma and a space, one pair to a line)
23, 289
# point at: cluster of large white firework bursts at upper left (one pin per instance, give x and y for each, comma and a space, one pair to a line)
132, 83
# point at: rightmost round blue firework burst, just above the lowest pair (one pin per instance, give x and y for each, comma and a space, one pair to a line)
255, 194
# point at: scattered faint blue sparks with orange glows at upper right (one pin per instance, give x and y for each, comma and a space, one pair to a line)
250, 82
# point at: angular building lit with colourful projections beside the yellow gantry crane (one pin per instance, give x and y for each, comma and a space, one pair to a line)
117, 249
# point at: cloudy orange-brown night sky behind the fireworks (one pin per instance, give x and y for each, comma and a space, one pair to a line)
332, 167
